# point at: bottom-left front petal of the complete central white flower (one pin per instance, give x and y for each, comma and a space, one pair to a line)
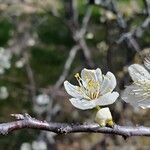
82, 103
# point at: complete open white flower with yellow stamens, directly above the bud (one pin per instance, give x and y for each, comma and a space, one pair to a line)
94, 89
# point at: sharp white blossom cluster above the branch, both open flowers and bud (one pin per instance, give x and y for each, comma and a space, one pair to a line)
96, 90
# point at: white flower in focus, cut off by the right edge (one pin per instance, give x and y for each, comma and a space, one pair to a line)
138, 94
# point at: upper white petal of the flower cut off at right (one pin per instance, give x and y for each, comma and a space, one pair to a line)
138, 72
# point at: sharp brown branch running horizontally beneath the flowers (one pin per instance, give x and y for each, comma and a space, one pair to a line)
27, 122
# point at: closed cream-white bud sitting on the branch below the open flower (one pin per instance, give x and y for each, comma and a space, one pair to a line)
103, 117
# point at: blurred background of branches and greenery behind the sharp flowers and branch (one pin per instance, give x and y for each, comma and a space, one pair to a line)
43, 43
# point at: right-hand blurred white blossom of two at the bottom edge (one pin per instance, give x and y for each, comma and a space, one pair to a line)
39, 145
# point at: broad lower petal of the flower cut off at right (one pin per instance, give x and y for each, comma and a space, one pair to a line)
133, 95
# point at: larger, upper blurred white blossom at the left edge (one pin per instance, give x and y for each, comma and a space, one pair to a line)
5, 57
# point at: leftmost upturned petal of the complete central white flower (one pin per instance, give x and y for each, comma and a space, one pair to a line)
73, 90
